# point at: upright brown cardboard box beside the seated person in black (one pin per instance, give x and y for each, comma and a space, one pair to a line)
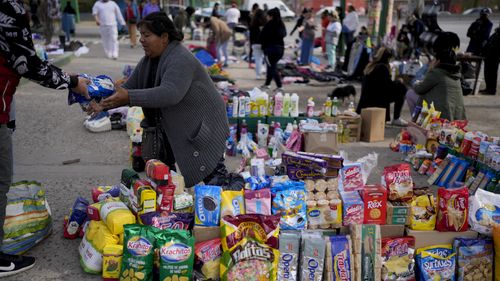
372, 124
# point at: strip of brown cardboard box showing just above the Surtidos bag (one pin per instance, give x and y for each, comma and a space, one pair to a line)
433, 237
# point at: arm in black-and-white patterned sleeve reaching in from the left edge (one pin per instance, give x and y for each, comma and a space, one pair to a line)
21, 55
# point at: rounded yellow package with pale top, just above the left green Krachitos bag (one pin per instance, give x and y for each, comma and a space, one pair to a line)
116, 214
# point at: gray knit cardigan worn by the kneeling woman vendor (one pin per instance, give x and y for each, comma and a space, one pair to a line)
193, 112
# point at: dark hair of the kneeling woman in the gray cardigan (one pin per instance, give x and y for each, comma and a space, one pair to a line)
159, 23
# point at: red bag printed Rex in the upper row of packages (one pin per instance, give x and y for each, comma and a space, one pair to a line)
375, 199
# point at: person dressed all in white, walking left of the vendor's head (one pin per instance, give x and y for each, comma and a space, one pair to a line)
107, 16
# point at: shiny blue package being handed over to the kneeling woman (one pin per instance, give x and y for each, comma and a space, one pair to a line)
100, 87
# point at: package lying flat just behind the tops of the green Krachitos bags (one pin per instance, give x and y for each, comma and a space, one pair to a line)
164, 220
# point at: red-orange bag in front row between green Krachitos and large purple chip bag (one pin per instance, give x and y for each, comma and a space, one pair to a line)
207, 256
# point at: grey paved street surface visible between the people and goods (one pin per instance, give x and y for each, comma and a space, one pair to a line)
50, 132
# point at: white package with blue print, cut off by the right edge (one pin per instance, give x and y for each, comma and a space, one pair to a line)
484, 211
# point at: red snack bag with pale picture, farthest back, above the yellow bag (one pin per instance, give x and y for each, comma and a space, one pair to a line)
397, 179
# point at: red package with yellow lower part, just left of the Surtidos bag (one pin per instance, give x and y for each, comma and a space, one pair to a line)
397, 258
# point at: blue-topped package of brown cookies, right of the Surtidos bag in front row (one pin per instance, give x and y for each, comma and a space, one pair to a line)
474, 258
